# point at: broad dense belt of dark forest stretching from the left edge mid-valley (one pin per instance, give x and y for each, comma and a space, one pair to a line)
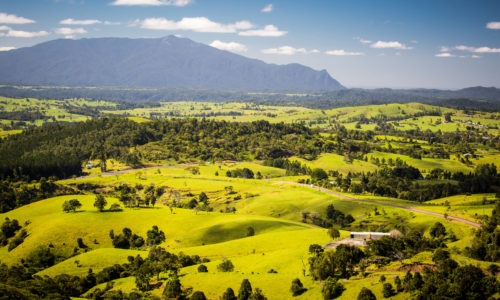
59, 150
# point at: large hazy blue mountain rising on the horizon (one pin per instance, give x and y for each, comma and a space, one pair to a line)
163, 62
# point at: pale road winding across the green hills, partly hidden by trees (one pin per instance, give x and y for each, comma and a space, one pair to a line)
460, 220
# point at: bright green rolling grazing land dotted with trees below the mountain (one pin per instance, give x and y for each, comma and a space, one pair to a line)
250, 191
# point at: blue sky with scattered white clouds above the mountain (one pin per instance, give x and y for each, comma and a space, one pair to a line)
397, 43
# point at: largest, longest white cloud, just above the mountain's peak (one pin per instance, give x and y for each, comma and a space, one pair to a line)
198, 24
